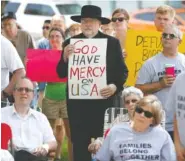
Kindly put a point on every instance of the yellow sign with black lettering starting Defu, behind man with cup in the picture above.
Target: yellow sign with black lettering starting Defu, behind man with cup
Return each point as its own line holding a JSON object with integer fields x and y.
{"x": 140, "y": 46}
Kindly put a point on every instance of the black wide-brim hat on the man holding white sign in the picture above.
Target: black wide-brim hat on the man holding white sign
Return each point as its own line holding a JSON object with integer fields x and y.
{"x": 90, "y": 11}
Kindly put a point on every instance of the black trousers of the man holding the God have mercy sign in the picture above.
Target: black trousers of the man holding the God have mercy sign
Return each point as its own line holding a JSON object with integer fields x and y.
{"x": 86, "y": 118}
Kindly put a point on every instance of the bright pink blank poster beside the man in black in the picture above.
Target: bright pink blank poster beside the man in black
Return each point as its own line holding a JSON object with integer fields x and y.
{"x": 41, "y": 65}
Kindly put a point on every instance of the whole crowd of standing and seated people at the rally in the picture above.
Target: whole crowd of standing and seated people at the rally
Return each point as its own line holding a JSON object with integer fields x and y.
{"x": 39, "y": 135}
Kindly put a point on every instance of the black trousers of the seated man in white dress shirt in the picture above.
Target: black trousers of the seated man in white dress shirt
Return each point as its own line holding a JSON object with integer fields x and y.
{"x": 26, "y": 156}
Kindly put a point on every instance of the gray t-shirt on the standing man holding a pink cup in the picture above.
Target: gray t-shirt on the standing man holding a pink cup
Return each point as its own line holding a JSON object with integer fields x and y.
{"x": 154, "y": 69}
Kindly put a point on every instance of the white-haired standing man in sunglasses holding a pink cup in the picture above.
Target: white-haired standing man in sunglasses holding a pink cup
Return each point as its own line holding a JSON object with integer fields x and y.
{"x": 152, "y": 77}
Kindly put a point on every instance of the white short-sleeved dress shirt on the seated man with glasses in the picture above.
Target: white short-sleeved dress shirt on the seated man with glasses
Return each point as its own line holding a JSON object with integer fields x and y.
{"x": 28, "y": 132}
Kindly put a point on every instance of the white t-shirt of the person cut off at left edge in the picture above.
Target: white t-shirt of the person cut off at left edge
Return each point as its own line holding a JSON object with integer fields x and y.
{"x": 10, "y": 61}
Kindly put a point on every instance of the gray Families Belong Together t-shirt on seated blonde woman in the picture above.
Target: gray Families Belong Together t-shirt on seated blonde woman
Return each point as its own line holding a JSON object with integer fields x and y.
{"x": 123, "y": 143}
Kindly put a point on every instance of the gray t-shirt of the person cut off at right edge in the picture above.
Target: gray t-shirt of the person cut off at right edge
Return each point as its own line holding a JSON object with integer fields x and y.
{"x": 176, "y": 104}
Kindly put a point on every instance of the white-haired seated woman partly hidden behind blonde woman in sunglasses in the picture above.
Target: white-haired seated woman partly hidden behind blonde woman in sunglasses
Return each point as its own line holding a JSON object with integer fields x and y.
{"x": 130, "y": 97}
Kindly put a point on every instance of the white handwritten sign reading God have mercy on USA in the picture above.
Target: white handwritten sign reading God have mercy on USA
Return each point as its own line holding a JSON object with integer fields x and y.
{"x": 87, "y": 69}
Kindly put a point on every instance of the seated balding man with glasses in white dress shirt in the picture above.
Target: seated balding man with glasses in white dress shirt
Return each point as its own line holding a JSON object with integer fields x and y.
{"x": 32, "y": 134}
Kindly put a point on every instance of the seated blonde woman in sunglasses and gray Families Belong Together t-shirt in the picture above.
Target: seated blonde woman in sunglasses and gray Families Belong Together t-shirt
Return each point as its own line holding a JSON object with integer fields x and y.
{"x": 141, "y": 138}
